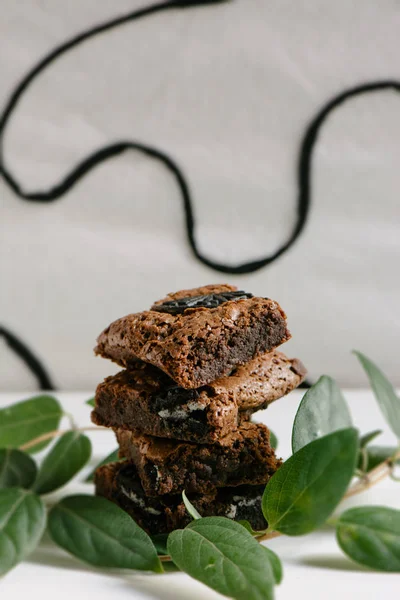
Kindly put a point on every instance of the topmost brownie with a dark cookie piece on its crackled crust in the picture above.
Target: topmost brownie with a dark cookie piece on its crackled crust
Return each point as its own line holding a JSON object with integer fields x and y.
{"x": 198, "y": 335}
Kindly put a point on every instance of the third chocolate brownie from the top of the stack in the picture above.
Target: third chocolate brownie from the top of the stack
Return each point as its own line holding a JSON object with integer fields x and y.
{"x": 168, "y": 467}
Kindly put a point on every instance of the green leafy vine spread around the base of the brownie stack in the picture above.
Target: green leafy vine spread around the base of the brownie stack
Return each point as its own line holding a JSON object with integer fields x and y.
{"x": 296, "y": 501}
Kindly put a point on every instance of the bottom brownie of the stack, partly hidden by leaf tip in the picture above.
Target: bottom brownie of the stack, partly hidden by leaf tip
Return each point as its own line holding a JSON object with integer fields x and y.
{"x": 120, "y": 483}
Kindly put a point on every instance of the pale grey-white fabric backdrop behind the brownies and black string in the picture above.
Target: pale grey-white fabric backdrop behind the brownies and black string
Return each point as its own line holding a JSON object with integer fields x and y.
{"x": 227, "y": 90}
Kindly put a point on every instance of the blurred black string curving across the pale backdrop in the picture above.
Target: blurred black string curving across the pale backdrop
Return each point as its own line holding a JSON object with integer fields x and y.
{"x": 93, "y": 160}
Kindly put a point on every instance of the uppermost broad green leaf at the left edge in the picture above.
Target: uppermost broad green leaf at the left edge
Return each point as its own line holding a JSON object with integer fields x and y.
{"x": 27, "y": 420}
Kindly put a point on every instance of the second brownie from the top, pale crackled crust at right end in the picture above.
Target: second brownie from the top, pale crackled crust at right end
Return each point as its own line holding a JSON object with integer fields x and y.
{"x": 146, "y": 399}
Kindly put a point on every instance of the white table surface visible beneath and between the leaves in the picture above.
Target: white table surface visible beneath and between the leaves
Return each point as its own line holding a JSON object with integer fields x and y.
{"x": 314, "y": 566}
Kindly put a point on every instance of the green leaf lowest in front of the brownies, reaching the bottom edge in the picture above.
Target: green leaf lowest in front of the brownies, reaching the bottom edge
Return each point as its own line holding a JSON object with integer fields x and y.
{"x": 223, "y": 555}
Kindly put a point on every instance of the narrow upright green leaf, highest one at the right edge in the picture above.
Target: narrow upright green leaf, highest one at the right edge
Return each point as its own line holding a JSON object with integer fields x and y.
{"x": 384, "y": 393}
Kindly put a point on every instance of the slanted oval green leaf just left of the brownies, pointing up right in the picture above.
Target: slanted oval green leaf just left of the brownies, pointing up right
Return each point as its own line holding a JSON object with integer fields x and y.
{"x": 66, "y": 458}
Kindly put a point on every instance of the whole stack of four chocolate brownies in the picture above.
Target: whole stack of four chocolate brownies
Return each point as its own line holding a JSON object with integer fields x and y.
{"x": 197, "y": 365}
